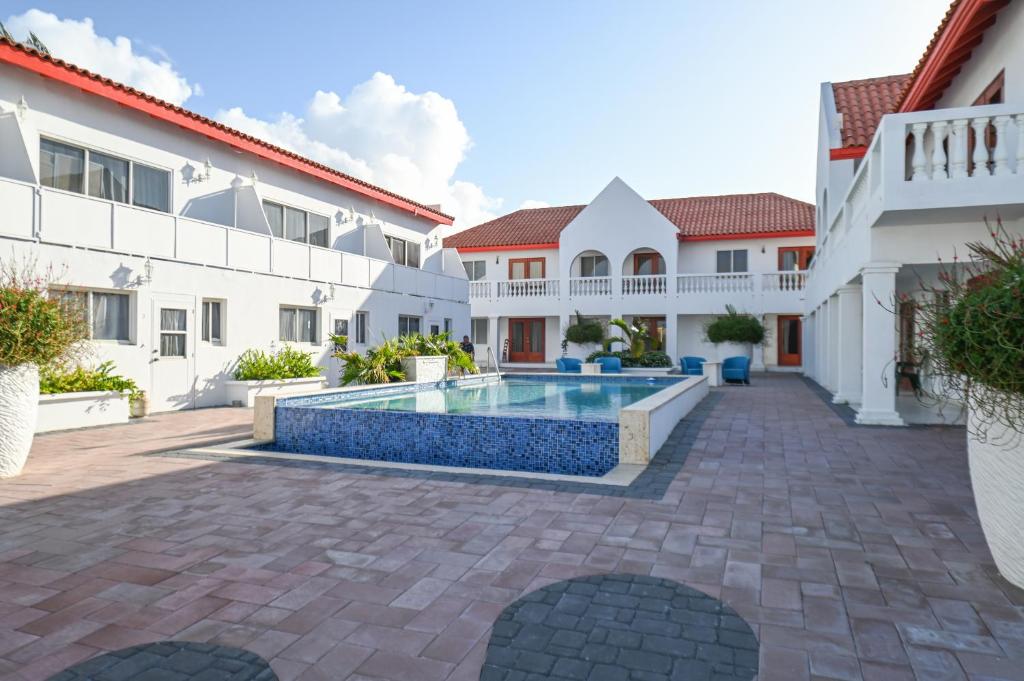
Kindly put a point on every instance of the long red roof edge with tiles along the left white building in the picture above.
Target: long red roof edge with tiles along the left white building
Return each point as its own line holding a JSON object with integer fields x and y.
{"x": 45, "y": 65}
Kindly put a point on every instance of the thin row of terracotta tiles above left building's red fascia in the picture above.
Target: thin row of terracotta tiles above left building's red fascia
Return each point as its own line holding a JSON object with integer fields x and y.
{"x": 202, "y": 120}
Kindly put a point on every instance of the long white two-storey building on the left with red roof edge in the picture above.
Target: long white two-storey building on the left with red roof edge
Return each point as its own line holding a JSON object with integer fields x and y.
{"x": 191, "y": 242}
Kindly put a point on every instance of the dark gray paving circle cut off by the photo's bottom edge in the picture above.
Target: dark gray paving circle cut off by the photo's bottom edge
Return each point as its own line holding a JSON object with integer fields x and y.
{"x": 173, "y": 661}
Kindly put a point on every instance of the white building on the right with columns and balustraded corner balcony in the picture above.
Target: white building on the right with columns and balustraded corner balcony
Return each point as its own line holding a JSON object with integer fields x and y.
{"x": 909, "y": 167}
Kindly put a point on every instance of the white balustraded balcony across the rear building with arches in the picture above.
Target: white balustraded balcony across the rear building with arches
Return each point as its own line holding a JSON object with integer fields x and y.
{"x": 756, "y": 292}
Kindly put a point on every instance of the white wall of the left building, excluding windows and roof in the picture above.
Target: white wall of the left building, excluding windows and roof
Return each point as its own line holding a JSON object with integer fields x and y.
{"x": 214, "y": 244}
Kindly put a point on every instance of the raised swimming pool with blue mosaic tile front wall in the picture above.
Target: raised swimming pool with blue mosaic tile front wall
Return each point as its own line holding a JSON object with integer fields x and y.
{"x": 543, "y": 423}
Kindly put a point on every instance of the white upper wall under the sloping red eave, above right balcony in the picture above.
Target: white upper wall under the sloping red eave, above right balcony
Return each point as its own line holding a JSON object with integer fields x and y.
{"x": 1001, "y": 50}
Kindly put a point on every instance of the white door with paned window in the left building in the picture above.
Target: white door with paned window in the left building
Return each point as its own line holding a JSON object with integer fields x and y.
{"x": 173, "y": 359}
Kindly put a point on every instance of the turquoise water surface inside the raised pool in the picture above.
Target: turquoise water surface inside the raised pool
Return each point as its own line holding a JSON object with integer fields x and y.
{"x": 580, "y": 400}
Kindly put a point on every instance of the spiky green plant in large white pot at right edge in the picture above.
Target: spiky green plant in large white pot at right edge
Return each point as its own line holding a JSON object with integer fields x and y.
{"x": 971, "y": 323}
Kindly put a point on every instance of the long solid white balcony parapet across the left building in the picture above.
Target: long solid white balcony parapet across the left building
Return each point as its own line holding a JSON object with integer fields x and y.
{"x": 54, "y": 217}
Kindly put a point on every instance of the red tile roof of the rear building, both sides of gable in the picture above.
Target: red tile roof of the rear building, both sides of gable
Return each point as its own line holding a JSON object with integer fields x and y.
{"x": 730, "y": 217}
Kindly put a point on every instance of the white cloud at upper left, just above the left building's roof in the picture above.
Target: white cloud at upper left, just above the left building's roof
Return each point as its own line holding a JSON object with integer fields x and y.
{"x": 77, "y": 42}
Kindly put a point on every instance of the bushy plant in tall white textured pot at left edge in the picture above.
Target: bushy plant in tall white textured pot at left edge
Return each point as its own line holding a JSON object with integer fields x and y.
{"x": 35, "y": 329}
